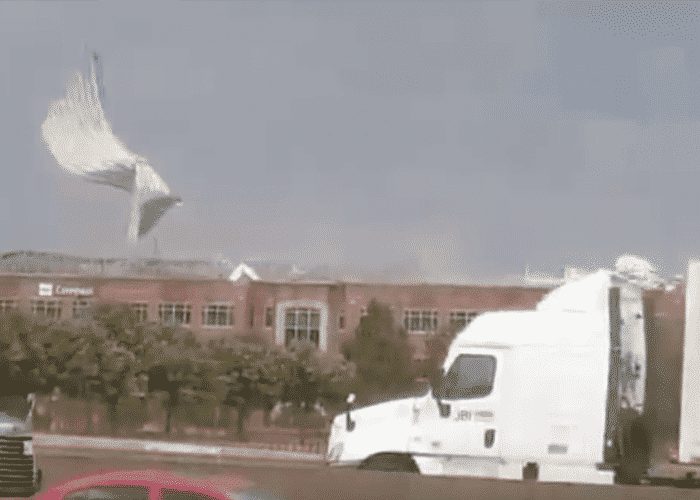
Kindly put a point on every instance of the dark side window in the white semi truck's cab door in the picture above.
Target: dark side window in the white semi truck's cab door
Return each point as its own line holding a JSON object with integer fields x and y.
{"x": 470, "y": 376}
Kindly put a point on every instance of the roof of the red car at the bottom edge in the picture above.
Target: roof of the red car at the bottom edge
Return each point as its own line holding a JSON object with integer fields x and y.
{"x": 153, "y": 485}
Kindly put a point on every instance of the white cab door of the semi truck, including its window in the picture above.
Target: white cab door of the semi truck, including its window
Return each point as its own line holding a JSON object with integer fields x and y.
{"x": 467, "y": 426}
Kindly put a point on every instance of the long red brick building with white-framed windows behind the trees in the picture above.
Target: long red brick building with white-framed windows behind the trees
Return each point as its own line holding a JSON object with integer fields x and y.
{"x": 224, "y": 304}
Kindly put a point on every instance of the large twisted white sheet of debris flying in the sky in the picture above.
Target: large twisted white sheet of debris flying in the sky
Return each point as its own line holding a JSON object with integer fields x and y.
{"x": 82, "y": 142}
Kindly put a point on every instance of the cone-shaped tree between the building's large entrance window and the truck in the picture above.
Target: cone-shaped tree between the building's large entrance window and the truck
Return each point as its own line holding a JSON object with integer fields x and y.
{"x": 381, "y": 354}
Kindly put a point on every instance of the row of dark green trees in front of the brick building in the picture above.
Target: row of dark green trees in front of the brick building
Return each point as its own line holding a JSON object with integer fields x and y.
{"x": 112, "y": 356}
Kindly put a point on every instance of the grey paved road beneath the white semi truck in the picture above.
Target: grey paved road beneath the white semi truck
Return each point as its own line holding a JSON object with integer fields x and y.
{"x": 318, "y": 482}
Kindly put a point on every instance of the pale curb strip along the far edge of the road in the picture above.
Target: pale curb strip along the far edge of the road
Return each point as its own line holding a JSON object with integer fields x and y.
{"x": 169, "y": 448}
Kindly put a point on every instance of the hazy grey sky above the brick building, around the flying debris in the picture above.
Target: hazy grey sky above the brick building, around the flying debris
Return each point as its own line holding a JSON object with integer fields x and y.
{"x": 462, "y": 139}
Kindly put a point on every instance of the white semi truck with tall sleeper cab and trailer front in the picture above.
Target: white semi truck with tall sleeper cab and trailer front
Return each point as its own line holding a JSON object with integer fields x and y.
{"x": 554, "y": 394}
